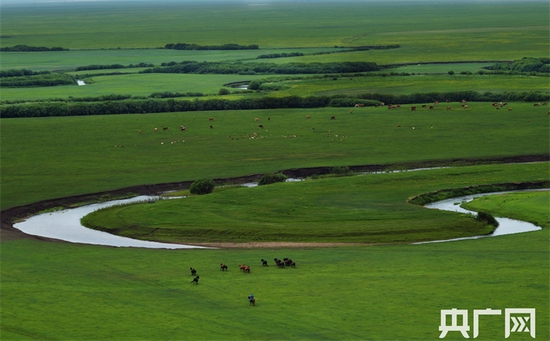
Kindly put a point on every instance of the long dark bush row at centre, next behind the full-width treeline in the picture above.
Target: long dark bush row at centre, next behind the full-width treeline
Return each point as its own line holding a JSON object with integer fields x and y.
{"x": 262, "y": 68}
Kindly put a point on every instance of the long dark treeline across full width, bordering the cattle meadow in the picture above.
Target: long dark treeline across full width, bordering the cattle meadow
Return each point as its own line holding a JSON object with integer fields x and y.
{"x": 133, "y": 106}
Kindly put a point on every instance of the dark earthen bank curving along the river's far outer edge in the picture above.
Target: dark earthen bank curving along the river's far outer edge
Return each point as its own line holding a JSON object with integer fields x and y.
{"x": 10, "y": 216}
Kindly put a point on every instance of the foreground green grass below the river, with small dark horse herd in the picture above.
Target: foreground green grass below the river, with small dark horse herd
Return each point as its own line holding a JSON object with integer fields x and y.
{"x": 75, "y": 292}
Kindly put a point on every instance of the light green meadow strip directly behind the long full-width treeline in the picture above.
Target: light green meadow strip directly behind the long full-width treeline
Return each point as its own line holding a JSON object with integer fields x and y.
{"x": 146, "y": 84}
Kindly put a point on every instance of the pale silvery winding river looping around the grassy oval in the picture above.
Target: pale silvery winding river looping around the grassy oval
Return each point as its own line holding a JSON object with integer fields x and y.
{"x": 65, "y": 225}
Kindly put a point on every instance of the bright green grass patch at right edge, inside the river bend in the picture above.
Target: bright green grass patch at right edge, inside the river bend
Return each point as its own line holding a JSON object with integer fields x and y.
{"x": 529, "y": 206}
